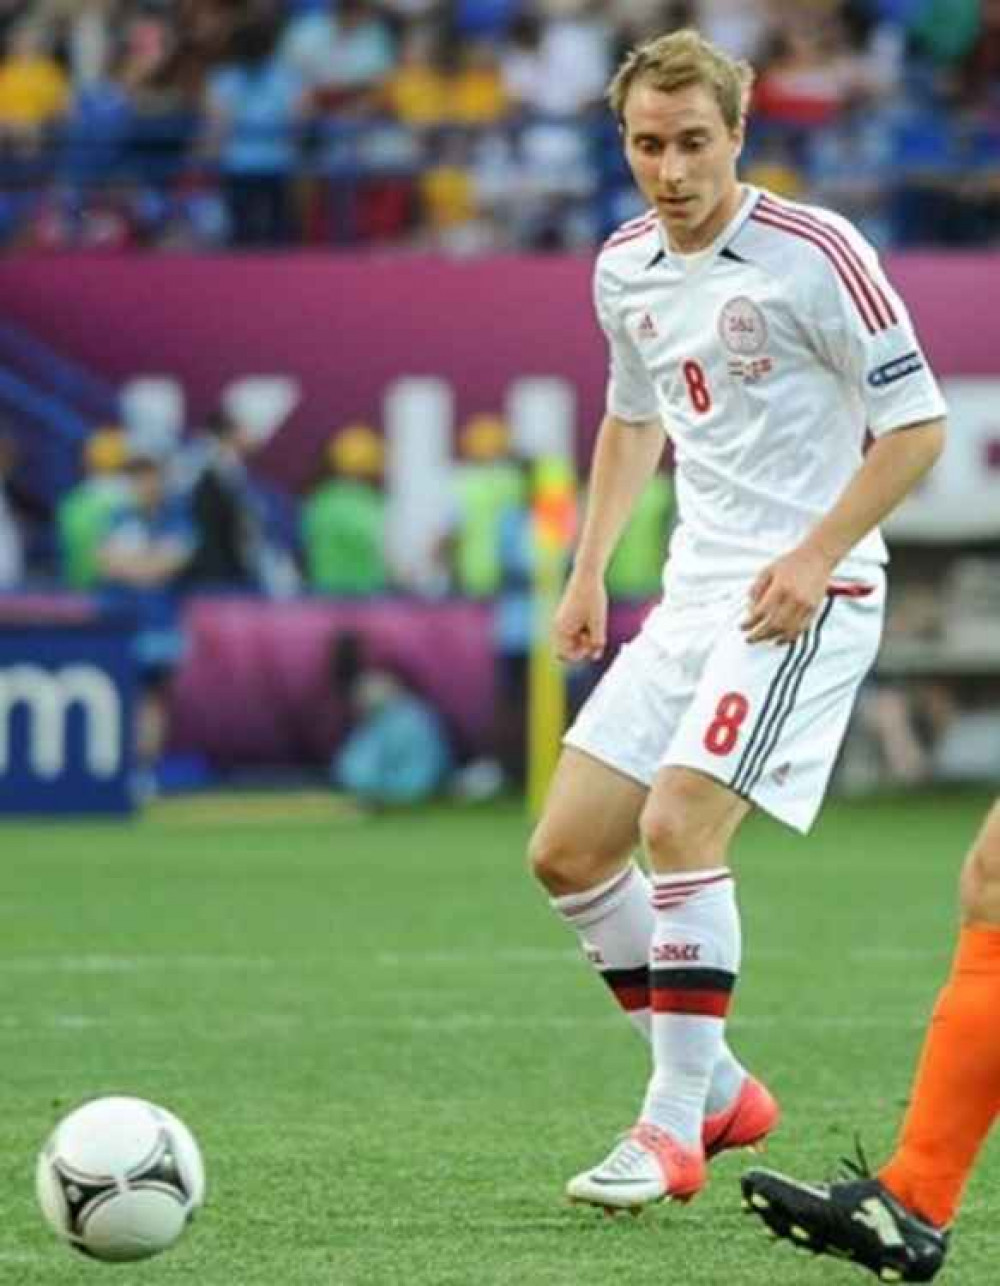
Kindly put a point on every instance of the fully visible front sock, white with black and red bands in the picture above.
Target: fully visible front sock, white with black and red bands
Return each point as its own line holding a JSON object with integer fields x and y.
{"x": 693, "y": 966}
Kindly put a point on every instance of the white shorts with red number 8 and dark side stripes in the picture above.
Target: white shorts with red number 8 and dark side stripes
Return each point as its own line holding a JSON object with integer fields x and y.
{"x": 765, "y": 720}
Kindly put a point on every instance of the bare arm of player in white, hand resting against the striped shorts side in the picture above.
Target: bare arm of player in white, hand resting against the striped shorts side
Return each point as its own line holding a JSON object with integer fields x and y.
{"x": 789, "y": 592}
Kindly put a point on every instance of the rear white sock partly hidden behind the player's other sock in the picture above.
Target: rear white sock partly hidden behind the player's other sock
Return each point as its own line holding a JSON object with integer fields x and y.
{"x": 615, "y": 923}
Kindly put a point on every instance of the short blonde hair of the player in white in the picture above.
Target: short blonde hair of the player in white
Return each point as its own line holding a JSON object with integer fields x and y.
{"x": 686, "y": 59}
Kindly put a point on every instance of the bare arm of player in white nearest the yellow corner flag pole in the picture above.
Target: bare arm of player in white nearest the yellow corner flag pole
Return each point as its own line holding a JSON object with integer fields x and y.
{"x": 625, "y": 458}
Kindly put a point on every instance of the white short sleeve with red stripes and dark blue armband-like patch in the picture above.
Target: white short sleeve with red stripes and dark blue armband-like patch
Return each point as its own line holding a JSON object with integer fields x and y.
{"x": 863, "y": 330}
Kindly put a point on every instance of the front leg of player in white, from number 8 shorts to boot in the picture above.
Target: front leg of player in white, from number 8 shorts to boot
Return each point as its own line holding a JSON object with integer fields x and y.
{"x": 763, "y": 727}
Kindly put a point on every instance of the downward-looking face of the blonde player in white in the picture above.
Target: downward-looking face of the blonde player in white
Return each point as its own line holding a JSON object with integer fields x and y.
{"x": 683, "y": 158}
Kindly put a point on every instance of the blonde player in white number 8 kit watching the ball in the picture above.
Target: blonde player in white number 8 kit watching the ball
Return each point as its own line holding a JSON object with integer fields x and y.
{"x": 764, "y": 338}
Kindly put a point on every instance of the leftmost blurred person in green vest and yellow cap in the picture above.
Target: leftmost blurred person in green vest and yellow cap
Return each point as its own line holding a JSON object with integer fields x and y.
{"x": 85, "y": 514}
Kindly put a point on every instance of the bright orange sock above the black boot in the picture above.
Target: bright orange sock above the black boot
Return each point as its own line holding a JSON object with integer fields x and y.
{"x": 957, "y": 1091}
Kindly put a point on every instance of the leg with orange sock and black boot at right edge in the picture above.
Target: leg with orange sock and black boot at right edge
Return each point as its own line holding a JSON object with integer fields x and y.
{"x": 897, "y": 1224}
